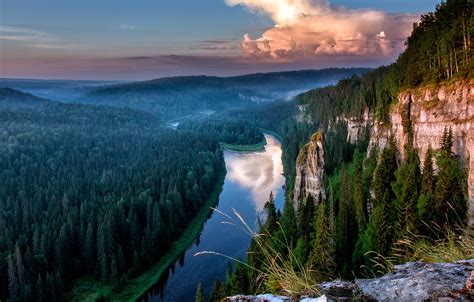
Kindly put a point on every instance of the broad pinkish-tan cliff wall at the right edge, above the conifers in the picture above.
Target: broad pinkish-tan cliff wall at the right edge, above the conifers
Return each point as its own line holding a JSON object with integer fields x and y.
{"x": 422, "y": 114}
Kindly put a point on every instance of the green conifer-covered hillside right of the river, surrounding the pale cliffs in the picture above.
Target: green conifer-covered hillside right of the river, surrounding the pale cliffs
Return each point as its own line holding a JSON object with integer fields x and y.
{"x": 377, "y": 201}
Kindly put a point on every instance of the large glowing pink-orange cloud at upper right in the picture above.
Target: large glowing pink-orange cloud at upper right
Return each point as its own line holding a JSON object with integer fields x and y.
{"x": 313, "y": 28}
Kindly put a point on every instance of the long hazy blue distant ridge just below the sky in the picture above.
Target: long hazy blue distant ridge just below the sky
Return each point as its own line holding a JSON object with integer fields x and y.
{"x": 179, "y": 96}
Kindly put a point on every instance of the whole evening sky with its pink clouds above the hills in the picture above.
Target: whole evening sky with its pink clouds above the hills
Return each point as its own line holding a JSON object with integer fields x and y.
{"x": 145, "y": 39}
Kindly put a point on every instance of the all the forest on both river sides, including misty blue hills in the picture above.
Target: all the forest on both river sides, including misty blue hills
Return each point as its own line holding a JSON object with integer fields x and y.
{"x": 102, "y": 189}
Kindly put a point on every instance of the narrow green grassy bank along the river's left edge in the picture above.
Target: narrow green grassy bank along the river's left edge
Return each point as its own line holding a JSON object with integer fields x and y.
{"x": 91, "y": 289}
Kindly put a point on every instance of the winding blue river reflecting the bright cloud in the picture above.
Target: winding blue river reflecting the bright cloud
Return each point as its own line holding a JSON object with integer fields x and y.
{"x": 250, "y": 179}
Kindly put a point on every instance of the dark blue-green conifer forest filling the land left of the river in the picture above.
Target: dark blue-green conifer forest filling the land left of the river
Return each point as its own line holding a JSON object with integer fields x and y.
{"x": 92, "y": 191}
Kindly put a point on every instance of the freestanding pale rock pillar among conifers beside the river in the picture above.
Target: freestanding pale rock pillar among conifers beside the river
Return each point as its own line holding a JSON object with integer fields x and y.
{"x": 310, "y": 169}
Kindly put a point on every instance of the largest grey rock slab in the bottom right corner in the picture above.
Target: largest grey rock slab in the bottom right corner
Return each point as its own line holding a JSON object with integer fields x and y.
{"x": 417, "y": 281}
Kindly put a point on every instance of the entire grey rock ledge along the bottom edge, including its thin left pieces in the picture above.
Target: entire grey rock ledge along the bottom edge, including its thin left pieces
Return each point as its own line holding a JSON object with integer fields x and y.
{"x": 413, "y": 281}
